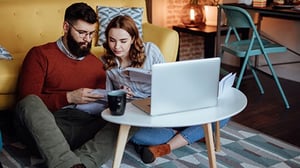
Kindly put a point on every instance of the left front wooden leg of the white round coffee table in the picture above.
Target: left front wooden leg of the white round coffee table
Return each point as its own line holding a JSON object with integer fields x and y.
{"x": 121, "y": 143}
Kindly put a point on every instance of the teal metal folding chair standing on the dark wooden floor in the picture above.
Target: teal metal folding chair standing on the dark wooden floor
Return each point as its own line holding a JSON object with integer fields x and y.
{"x": 254, "y": 46}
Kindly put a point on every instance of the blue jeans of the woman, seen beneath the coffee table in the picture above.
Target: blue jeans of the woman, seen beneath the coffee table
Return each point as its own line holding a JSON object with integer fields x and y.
{"x": 150, "y": 136}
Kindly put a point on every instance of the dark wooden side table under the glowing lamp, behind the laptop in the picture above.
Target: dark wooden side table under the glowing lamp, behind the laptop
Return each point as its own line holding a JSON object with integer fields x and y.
{"x": 209, "y": 33}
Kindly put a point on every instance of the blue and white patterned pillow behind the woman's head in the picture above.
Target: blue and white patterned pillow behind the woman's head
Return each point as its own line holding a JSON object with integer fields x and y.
{"x": 106, "y": 14}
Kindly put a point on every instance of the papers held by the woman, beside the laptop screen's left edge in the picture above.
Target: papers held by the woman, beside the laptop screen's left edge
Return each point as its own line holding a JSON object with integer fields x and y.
{"x": 138, "y": 74}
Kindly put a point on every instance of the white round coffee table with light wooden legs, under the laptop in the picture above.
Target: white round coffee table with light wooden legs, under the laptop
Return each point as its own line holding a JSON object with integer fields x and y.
{"x": 229, "y": 104}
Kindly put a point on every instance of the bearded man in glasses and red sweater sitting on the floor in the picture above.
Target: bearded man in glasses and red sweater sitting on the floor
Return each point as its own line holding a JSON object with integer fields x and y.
{"x": 54, "y": 78}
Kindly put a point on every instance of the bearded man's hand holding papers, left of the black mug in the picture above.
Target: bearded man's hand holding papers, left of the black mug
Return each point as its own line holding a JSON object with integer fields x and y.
{"x": 82, "y": 96}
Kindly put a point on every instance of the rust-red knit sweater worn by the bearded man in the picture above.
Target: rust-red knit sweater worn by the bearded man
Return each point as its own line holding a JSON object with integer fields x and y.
{"x": 49, "y": 73}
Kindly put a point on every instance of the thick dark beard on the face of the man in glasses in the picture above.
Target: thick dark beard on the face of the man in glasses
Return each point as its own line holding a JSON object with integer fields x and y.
{"x": 75, "y": 47}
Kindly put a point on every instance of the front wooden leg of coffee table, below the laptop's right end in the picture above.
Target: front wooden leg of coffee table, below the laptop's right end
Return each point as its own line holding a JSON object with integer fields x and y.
{"x": 210, "y": 145}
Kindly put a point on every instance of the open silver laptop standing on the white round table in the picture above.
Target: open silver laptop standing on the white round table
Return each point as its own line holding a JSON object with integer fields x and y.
{"x": 182, "y": 86}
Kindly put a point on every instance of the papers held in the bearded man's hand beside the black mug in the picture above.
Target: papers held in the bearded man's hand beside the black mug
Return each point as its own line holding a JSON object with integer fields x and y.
{"x": 94, "y": 108}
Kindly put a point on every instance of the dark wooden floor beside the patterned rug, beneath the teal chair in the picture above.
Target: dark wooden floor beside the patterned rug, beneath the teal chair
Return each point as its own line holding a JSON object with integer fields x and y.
{"x": 267, "y": 113}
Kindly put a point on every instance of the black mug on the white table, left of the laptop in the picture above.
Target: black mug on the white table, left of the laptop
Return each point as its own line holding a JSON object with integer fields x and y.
{"x": 116, "y": 102}
